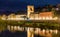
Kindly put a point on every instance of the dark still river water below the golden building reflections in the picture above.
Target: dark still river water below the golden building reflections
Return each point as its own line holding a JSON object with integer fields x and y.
{"x": 8, "y": 33}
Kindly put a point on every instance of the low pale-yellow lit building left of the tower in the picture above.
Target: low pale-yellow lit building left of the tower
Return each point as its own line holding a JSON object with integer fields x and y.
{"x": 16, "y": 16}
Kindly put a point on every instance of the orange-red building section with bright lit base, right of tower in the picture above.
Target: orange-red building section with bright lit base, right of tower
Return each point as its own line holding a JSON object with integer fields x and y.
{"x": 46, "y": 16}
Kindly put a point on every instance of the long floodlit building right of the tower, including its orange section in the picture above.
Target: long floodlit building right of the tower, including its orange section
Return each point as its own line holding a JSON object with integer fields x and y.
{"x": 41, "y": 15}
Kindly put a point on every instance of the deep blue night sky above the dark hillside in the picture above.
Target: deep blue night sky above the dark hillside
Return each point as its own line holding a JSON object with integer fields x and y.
{"x": 15, "y": 5}
